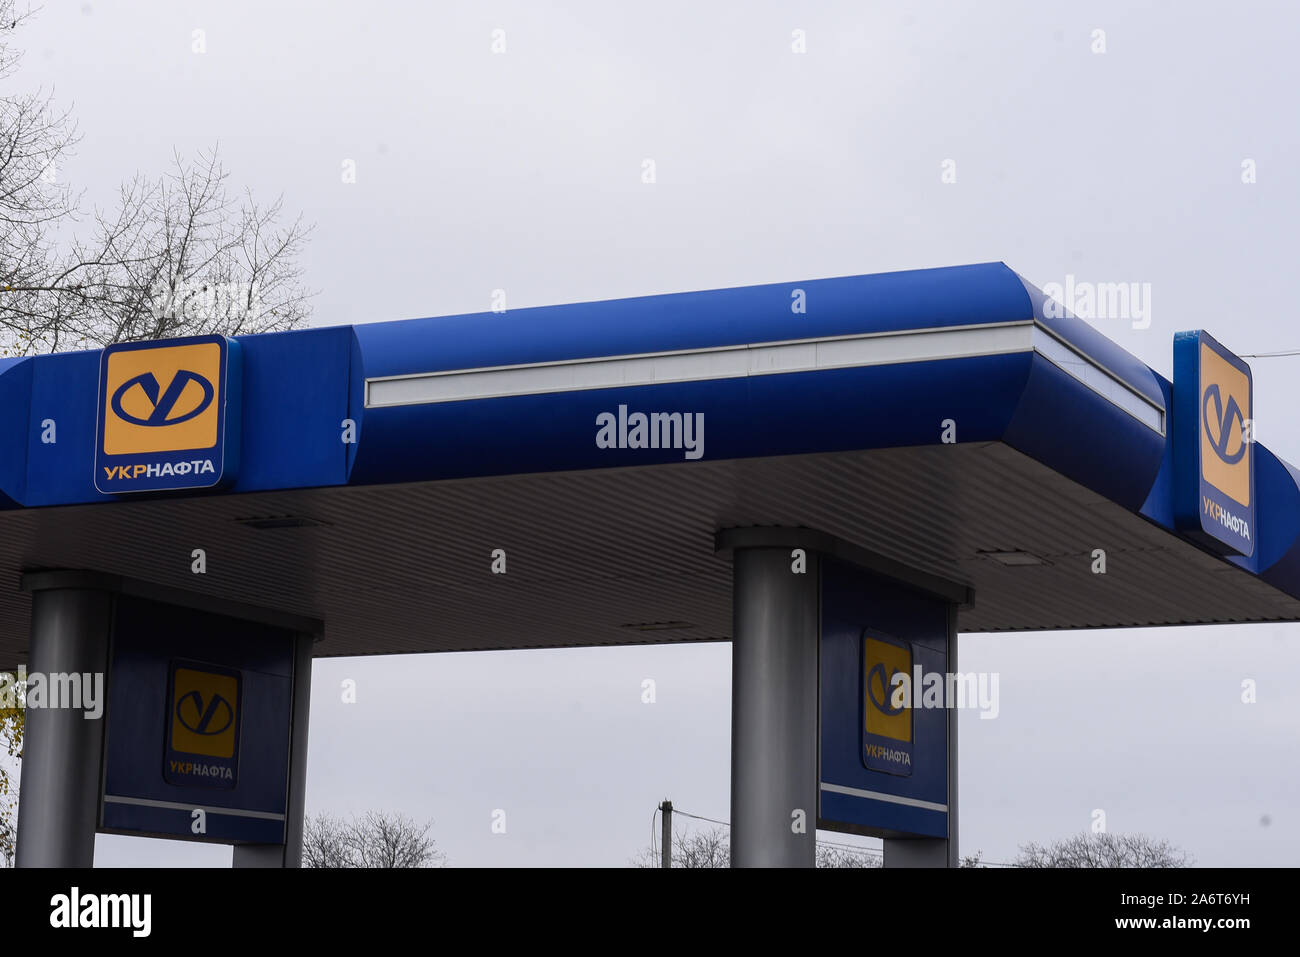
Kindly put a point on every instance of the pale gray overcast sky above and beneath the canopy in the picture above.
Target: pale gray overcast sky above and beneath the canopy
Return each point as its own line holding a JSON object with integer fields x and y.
{"x": 522, "y": 171}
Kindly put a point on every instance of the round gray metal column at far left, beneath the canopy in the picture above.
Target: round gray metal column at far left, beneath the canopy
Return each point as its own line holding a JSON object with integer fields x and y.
{"x": 63, "y": 750}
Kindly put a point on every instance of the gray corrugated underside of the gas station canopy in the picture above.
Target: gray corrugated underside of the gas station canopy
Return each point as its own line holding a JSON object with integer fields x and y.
{"x": 627, "y": 556}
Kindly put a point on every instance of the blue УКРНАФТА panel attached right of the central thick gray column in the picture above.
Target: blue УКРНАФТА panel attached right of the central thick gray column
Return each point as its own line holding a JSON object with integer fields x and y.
{"x": 885, "y": 743}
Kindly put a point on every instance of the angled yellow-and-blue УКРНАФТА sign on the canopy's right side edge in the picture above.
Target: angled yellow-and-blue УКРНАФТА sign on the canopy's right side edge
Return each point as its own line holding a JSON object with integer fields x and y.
{"x": 1215, "y": 500}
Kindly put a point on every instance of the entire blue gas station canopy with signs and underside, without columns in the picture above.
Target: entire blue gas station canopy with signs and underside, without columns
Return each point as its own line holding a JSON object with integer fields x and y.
{"x": 558, "y": 477}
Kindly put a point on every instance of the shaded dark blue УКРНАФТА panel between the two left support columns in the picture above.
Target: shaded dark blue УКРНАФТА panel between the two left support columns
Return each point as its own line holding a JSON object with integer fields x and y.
{"x": 200, "y": 717}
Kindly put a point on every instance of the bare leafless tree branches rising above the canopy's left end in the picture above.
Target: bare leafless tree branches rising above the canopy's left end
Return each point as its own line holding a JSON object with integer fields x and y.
{"x": 175, "y": 256}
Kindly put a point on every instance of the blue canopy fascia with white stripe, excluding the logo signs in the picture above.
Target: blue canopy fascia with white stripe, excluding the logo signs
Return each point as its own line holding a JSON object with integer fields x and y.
{"x": 822, "y": 366}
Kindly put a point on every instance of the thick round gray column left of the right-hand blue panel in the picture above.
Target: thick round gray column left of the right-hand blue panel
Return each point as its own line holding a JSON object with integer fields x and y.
{"x": 774, "y": 709}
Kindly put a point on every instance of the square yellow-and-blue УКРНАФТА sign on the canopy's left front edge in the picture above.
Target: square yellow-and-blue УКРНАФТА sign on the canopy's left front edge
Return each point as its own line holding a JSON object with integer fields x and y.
{"x": 168, "y": 415}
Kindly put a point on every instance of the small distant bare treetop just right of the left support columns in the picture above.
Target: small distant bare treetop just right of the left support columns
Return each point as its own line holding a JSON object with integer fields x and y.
{"x": 374, "y": 841}
